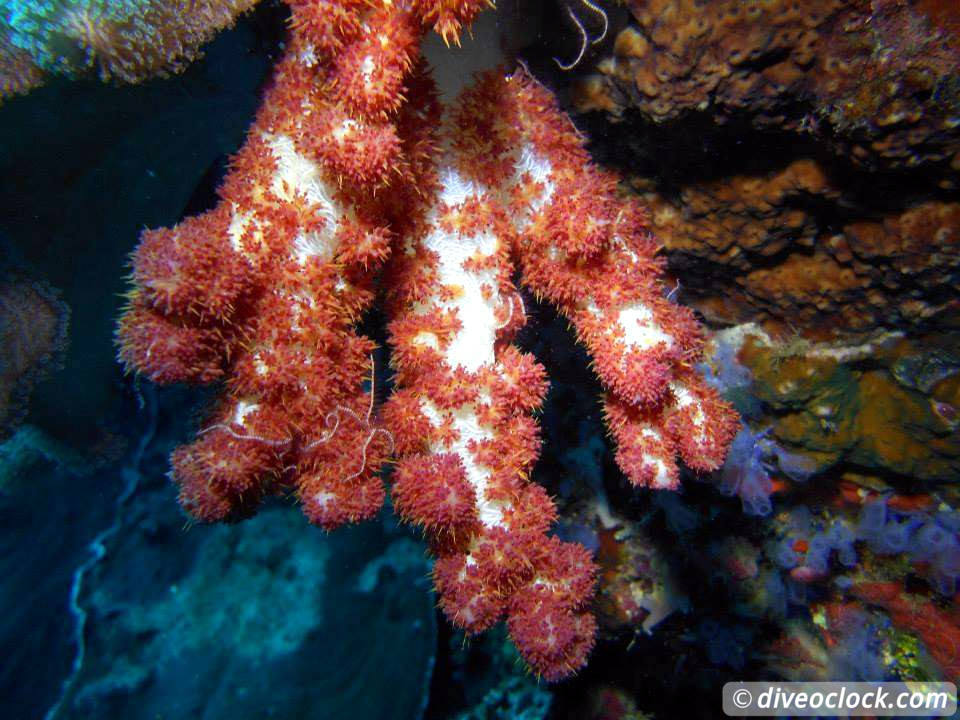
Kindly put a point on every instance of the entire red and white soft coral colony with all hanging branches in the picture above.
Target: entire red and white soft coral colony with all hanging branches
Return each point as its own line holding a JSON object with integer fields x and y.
{"x": 345, "y": 188}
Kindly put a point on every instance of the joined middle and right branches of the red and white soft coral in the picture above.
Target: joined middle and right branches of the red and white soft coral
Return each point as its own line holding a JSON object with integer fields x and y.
{"x": 518, "y": 190}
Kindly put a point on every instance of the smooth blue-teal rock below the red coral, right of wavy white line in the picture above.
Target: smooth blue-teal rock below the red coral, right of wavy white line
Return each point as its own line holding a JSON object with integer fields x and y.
{"x": 262, "y": 618}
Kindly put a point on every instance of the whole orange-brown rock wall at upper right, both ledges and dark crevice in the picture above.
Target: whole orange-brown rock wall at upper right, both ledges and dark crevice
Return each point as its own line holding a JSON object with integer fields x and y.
{"x": 797, "y": 158}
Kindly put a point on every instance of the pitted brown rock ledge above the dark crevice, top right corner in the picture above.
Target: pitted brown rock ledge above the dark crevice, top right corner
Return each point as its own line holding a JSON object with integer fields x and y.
{"x": 876, "y": 81}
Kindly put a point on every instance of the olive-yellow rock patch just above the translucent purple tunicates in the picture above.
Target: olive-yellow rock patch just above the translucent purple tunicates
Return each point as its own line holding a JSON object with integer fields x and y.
{"x": 830, "y": 406}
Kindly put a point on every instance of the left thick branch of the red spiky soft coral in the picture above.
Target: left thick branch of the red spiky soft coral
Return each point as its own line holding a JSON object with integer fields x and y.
{"x": 263, "y": 291}
